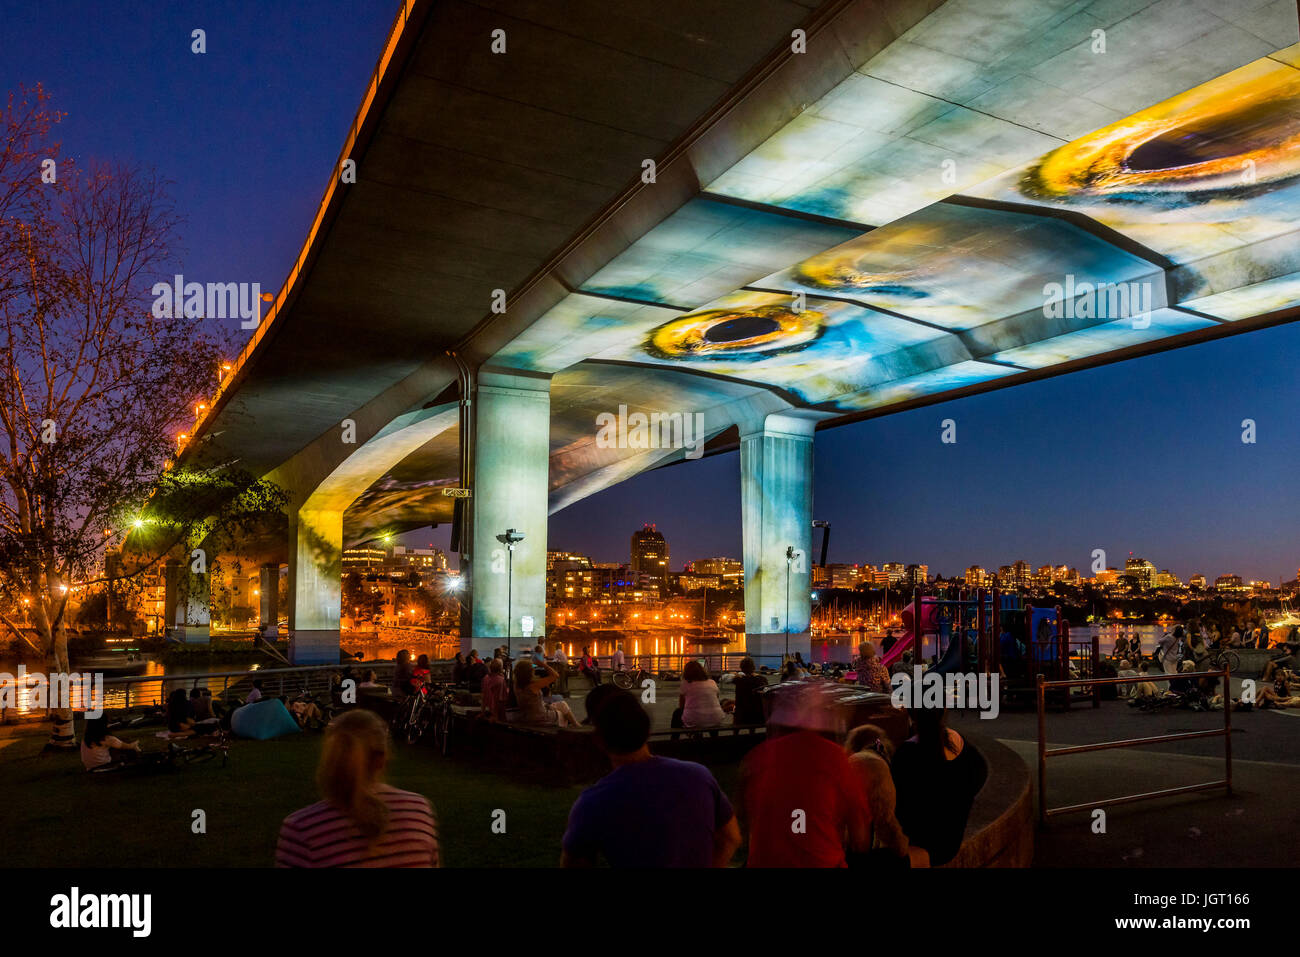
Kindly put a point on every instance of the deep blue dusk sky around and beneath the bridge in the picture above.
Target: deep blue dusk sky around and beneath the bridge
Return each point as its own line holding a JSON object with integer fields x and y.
{"x": 1141, "y": 457}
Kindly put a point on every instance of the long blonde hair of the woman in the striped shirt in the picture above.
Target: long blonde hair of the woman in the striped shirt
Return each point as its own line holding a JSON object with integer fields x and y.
{"x": 357, "y": 744}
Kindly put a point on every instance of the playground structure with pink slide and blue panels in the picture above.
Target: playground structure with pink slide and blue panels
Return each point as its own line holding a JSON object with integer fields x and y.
{"x": 987, "y": 631}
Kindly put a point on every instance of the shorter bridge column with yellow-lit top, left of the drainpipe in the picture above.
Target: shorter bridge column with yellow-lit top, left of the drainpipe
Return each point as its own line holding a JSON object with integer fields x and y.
{"x": 315, "y": 586}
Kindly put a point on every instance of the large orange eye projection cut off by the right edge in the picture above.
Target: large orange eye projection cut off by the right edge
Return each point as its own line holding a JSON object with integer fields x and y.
{"x": 1236, "y": 138}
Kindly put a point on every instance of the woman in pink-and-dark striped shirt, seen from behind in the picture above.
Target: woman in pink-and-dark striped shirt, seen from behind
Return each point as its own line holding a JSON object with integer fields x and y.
{"x": 362, "y": 822}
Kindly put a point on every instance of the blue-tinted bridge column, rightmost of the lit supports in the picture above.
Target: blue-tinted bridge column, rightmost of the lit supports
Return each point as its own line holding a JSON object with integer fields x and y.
{"x": 777, "y": 510}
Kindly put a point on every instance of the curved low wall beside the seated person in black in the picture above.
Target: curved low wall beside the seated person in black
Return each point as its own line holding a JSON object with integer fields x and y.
{"x": 1000, "y": 830}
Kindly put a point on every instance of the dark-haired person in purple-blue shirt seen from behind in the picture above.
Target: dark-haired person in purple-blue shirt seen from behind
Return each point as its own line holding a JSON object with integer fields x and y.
{"x": 648, "y": 812}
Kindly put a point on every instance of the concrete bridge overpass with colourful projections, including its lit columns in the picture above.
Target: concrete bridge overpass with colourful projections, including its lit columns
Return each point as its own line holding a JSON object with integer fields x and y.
{"x": 587, "y": 240}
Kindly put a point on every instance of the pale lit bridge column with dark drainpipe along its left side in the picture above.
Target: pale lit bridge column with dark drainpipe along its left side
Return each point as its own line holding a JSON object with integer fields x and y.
{"x": 512, "y": 471}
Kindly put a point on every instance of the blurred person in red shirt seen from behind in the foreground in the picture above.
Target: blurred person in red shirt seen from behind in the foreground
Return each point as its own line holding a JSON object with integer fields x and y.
{"x": 800, "y": 802}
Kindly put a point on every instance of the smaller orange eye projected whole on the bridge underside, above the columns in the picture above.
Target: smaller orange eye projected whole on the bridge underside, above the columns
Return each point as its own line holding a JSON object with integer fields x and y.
{"x": 755, "y": 334}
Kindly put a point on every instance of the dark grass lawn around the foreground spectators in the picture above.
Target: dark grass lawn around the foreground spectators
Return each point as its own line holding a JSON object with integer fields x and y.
{"x": 55, "y": 815}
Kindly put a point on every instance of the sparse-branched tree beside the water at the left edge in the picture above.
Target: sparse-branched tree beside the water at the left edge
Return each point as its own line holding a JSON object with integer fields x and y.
{"x": 93, "y": 387}
